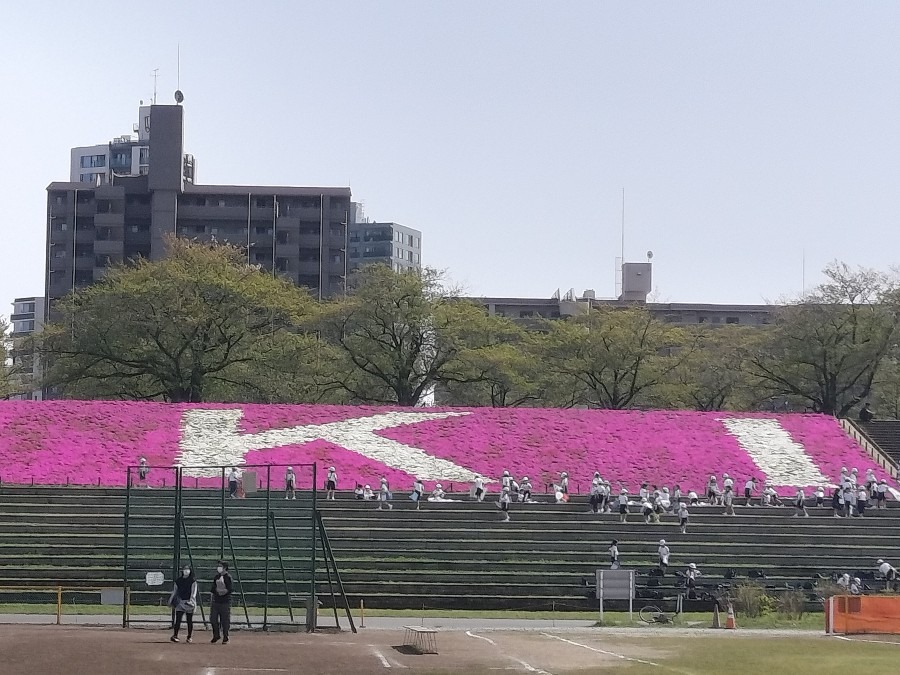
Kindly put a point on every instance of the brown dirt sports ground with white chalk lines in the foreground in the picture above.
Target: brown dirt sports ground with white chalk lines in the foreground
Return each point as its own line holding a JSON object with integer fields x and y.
{"x": 65, "y": 650}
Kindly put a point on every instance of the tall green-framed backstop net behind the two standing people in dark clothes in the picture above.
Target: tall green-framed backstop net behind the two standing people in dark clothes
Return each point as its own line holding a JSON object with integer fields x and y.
{"x": 197, "y": 516}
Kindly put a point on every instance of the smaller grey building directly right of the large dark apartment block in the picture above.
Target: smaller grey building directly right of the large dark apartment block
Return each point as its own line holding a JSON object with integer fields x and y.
{"x": 390, "y": 244}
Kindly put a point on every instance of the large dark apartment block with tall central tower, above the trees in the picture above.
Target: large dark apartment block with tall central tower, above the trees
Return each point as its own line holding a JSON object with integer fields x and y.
{"x": 298, "y": 232}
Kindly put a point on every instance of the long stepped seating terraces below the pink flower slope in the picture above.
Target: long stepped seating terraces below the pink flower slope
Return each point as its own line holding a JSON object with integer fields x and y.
{"x": 446, "y": 555}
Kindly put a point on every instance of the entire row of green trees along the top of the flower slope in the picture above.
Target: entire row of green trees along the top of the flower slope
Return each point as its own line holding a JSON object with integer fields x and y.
{"x": 201, "y": 325}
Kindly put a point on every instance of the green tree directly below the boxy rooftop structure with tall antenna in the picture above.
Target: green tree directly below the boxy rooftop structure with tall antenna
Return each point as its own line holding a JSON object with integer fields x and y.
{"x": 612, "y": 357}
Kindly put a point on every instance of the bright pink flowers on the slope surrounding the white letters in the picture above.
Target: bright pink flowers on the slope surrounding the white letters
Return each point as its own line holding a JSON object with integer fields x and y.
{"x": 91, "y": 443}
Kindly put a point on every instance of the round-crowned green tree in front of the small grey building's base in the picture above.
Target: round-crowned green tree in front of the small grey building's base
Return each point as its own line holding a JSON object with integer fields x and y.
{"x": 400, "y": 335}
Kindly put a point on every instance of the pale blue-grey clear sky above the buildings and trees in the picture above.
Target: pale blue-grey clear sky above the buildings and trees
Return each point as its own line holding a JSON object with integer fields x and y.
{"x": 754, "y": 140}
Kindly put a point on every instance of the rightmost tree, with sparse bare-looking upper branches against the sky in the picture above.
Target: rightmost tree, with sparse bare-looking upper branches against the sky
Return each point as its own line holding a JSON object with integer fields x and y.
{"x": 826, "y": 349}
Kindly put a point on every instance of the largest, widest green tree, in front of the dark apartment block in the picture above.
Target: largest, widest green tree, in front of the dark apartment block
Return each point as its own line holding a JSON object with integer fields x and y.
{"x": 198, "y": 325}
